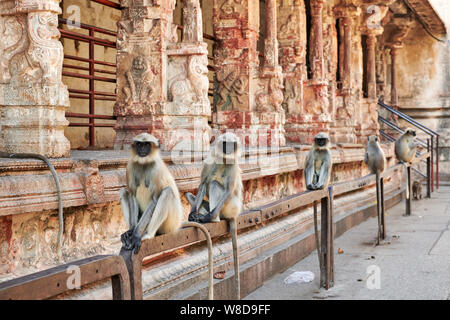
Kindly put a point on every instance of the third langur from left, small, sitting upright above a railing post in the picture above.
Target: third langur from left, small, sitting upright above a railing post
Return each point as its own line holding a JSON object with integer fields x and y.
{"x": 318, "y": 163}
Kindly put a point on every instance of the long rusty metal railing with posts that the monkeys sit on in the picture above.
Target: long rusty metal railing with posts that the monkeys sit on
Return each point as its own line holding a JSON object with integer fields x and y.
{"x": 128, "y": 266}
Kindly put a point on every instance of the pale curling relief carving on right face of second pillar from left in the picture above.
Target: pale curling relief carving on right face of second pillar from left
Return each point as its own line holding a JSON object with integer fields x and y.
{"x": 197, "y": 74}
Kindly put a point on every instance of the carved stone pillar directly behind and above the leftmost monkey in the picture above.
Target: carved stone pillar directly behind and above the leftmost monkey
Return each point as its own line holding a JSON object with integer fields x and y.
{"x": 162, "y": 84}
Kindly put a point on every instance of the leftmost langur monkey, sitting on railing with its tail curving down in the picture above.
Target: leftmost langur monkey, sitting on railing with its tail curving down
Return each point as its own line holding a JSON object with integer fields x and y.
{"x": 151, "y": 202}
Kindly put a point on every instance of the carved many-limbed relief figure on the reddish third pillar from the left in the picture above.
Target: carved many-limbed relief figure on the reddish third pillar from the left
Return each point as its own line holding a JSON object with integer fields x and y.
{"x": 231, "y": 90}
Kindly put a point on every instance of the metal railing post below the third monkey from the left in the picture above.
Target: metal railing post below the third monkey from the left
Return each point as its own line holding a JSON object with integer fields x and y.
{"x": 326, "y": 234}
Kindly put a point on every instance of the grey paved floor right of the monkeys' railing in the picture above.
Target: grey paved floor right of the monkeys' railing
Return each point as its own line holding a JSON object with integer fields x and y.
{"x": 413, "y": 264}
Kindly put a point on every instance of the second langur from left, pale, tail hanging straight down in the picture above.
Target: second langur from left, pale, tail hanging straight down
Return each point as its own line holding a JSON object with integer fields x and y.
{"x": 220, "y": 192}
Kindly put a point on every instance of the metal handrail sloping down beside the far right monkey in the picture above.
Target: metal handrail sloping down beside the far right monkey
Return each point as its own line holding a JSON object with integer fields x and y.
{"x": 432, "y": 145}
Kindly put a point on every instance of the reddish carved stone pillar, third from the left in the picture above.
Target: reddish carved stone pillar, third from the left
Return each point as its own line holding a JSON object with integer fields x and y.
{"x": 247, "y": 97}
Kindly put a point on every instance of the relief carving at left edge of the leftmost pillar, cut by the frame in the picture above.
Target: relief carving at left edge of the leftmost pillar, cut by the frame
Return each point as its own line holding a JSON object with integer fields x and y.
{"x": 14, "y": 41}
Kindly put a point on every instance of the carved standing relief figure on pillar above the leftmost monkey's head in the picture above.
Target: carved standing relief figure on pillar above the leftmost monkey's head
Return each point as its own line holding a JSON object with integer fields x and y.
{"x": 139, "y": 81}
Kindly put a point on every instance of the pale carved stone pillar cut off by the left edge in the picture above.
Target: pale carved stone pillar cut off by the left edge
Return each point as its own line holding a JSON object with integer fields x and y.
{"x": 33, "y": 99}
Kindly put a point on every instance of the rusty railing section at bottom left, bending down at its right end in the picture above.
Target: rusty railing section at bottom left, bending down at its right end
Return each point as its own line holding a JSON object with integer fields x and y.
{"x": 52, "y": 282}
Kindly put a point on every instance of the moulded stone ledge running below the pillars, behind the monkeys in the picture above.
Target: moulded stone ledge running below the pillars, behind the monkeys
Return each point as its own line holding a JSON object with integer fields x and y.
{"x": 95, "y": 177}
